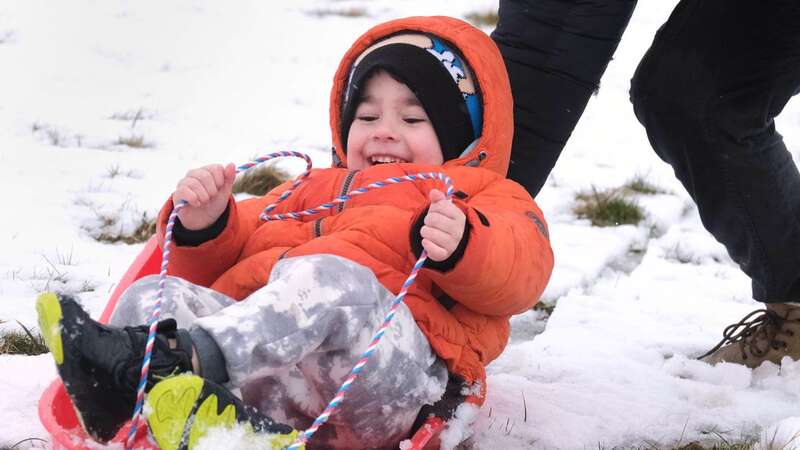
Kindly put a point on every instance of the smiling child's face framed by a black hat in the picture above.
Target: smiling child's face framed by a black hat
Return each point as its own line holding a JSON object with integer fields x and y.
{"x": 391, "y": 126}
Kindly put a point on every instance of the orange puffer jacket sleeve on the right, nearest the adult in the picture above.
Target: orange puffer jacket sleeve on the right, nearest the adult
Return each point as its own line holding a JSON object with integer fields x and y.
{"x": 508, "y": 259}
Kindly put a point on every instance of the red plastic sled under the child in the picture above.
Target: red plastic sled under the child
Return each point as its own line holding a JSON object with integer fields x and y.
{"x": 58, "y": 416}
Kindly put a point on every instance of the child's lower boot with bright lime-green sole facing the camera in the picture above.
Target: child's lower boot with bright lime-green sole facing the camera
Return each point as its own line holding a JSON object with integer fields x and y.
{"x": 181, "y": 410}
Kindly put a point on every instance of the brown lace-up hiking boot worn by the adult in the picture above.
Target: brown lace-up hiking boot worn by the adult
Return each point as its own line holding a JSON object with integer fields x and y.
{"x": 766, "y": 335}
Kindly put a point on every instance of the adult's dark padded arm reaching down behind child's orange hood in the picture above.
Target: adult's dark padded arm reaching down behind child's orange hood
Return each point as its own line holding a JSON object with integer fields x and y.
{"x": 555, "y": 52}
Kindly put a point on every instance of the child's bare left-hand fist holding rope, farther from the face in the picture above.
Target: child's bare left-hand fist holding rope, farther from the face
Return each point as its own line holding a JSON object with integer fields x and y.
{"x": 207, "y": 190}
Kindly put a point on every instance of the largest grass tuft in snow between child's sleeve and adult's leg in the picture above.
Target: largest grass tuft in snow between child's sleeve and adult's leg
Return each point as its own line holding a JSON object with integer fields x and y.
{"x": 607, "y": 208}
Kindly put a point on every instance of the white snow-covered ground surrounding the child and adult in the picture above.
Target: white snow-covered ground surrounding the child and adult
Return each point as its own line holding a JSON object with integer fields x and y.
{"x": 226, "y": 81}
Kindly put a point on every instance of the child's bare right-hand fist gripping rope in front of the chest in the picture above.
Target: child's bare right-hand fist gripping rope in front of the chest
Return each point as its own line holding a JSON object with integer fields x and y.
{"x": 444, "y": 227}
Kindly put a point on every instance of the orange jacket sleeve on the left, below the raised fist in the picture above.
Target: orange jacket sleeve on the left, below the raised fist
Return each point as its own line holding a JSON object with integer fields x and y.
{"x": 204, "y": 263}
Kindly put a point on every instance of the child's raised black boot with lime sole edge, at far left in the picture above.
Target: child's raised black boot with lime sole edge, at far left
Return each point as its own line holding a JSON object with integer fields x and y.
{"x": 101, "y": 365}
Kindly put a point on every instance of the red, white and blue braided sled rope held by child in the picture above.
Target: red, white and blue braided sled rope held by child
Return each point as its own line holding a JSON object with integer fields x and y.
{"x": 304, "y": 436}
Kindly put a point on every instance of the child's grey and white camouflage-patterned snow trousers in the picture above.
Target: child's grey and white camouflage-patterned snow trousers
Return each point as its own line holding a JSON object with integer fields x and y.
{"x": 289, "y": 345}
